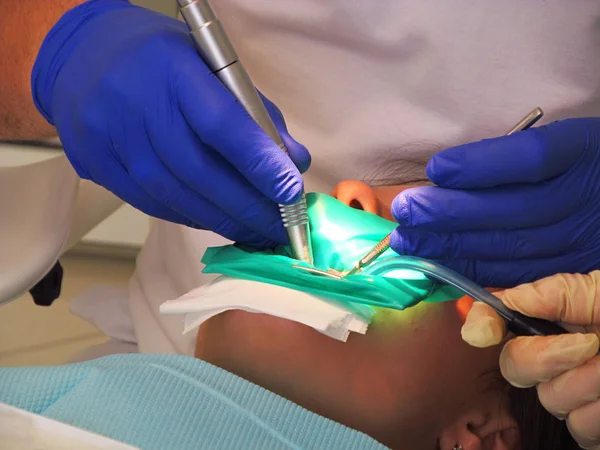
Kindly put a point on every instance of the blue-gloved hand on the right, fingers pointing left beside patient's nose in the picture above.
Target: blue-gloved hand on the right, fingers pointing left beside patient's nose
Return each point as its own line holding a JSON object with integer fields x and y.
{"x": 509, "y": 210}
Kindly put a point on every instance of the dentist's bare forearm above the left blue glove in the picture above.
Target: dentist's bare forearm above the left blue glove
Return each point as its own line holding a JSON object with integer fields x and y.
{"x": 23, "y": 26}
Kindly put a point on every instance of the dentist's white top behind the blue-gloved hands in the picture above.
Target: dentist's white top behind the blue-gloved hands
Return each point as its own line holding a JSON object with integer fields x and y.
{"x": 373, "y": 89}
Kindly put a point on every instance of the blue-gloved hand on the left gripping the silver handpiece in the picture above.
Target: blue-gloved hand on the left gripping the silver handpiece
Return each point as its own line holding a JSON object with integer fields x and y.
{"x": 139, "y": 113}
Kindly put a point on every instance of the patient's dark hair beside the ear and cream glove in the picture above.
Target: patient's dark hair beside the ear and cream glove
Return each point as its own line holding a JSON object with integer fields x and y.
{"x": 539, "y": 430}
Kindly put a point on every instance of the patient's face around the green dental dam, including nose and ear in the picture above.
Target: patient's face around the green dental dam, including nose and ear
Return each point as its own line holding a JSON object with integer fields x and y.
{"x": 410, "y": 382}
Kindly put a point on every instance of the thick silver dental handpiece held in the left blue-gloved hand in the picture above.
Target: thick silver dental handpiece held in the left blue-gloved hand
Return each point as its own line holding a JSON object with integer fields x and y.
{"x": 218, "y": 54}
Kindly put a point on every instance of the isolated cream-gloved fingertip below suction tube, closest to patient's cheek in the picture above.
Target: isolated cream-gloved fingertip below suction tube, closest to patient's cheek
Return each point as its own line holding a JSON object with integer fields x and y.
{"x": 483, "y": 327}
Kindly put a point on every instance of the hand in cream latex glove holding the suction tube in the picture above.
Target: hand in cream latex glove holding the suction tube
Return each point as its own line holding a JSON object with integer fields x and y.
{"x": 566, "y": 369}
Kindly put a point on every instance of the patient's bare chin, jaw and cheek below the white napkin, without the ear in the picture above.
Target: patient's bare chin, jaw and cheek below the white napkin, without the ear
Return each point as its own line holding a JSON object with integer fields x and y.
{"x": 387, "y": 383}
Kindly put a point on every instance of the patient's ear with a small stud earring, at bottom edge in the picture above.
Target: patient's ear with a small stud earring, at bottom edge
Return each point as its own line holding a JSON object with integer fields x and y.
{"x": 490, "y": 429}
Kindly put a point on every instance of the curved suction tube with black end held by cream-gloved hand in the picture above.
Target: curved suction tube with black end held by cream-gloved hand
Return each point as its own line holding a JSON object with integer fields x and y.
{"x": 517, "y": 323}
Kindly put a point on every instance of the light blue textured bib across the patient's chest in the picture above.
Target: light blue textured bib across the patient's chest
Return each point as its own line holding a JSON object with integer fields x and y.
{"x": 171, "y": 402}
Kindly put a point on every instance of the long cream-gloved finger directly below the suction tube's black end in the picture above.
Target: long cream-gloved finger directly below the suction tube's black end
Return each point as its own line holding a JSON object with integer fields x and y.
{"x": 527, "y": 361}
